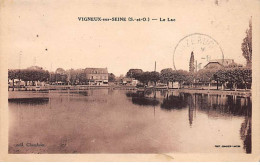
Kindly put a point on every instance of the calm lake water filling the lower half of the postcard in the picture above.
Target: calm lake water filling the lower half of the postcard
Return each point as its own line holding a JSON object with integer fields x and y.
{"x": 120, "y": 121}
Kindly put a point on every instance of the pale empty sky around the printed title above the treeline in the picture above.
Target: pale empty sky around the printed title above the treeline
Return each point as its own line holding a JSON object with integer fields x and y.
{"x": 48, "y": 33}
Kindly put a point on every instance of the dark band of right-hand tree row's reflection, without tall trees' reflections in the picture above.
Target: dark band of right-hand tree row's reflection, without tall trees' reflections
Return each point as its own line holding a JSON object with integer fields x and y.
{"x": 227, "y": 105}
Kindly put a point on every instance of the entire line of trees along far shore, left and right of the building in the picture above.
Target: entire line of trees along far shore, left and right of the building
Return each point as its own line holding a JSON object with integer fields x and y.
{"x": 231, "y": 77}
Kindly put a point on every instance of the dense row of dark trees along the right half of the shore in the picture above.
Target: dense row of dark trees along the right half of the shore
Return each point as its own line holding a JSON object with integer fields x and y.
{"x": 228, "y": 77}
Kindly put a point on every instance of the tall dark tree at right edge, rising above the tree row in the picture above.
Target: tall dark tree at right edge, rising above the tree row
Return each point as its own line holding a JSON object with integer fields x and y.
{"x": 246, "y": 45}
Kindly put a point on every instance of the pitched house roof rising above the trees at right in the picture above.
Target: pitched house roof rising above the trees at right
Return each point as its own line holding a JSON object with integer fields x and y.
{"x": 218, "y": 63}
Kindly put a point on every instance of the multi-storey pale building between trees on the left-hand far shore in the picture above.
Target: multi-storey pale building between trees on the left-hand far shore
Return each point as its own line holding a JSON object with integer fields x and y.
{"x": 96, "y": 76}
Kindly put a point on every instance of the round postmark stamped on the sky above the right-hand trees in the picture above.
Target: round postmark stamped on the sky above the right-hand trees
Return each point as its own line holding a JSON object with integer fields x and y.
{"x": 204, "y": 47}
